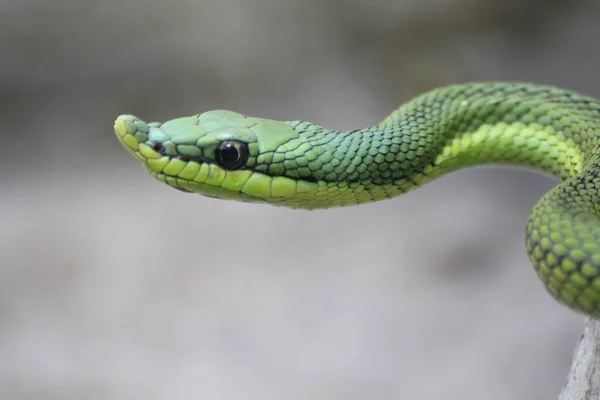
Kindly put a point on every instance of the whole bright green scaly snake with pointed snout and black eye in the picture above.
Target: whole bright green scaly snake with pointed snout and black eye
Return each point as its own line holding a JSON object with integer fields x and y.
{"x": 302, "y": 165}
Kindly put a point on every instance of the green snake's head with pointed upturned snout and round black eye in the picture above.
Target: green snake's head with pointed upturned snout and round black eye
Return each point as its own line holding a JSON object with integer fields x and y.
{"x": 218, "y": 153}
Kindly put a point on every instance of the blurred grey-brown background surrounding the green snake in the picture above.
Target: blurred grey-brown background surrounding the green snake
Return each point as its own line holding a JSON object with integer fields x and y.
{"x": 114, "y": 286}
